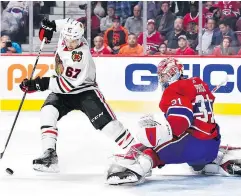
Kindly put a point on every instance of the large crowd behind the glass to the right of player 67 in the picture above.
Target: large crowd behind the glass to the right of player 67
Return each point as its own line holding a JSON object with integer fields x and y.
{"x": 172, "y": 27}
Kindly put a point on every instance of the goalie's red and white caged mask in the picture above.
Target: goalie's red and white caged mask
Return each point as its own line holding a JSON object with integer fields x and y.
{"x": 169, "y": 70}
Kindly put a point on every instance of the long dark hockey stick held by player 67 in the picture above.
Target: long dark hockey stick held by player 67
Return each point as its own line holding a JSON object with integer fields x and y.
{"x": 22, "y": 101}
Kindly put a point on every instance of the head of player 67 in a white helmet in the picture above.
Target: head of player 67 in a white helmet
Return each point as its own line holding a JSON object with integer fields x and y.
{"x": 72, "y": 34}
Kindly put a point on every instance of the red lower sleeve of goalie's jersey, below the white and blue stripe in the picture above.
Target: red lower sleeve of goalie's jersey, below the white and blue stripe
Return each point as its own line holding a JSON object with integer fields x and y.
{"x": 178, "y": 124}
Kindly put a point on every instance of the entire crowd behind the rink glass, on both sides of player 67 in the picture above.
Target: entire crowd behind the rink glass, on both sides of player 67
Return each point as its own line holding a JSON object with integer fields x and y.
{"x": 117, "y": 26}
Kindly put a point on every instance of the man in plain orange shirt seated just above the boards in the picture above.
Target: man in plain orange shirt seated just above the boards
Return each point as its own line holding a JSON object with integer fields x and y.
{"x": 133, "y": 48}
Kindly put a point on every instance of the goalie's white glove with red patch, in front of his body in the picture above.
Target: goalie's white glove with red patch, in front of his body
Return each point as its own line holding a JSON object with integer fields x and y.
{"x": 155, "y": 135}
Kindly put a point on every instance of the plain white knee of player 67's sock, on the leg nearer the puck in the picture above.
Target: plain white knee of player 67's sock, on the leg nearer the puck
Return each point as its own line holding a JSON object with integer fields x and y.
{"x": 49, "y": 116}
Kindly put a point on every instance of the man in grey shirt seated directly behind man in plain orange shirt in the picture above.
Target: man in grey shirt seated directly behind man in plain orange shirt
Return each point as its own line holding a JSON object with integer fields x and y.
{"x": 134, "y": 24}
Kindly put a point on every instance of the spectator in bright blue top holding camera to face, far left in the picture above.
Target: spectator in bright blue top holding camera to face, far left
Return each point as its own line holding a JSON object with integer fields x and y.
{"x": 7, "y": 46}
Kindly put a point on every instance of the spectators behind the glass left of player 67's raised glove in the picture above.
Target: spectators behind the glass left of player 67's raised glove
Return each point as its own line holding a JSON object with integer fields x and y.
{"x": 15, "y": 22}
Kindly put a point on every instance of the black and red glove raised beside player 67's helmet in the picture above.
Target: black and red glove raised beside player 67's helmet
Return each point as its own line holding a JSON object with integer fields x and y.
{"x": 46, "y": 30}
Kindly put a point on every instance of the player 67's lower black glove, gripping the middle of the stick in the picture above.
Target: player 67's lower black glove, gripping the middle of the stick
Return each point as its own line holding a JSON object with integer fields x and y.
{"x": 38, "y": 84}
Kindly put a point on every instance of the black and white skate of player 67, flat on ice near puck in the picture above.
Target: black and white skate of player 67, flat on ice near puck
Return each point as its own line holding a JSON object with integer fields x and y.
{"x": 48, "y": 162}
